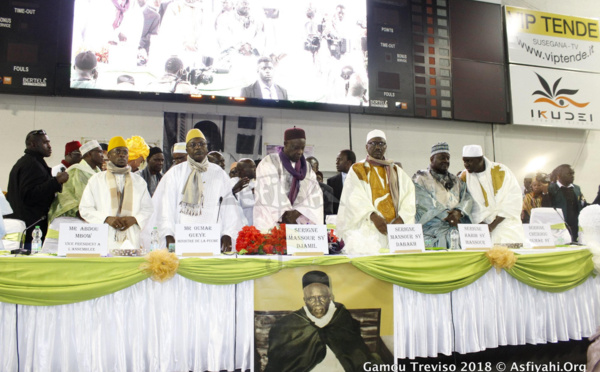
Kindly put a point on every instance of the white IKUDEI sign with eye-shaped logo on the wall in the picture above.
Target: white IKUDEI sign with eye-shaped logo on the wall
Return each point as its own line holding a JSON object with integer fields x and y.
{"x": 554, "y": 98}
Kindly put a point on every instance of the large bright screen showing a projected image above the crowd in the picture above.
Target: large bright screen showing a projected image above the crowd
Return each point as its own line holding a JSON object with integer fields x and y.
{"x": 301, "y": 50}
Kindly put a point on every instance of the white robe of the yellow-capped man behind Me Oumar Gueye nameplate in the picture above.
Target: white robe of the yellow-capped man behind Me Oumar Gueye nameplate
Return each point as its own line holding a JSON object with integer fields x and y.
{"x": 169, "y": 193}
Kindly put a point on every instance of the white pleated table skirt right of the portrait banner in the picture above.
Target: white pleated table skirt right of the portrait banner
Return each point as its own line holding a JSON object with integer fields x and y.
{"x": 494, "y": 311}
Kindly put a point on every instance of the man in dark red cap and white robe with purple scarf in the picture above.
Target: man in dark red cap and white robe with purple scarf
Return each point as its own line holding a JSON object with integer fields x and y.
{"x": 287, "y": 190}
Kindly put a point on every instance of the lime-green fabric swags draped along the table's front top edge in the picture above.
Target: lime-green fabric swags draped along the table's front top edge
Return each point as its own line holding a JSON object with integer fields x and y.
{"x": 48, "y": 281}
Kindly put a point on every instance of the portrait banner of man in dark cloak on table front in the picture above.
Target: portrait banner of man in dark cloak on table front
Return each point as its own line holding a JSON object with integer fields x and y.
{"x": 322, "y": 318}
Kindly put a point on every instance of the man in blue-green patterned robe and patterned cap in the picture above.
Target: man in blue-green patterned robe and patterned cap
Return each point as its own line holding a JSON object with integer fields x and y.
{"x": 442, "y": 199}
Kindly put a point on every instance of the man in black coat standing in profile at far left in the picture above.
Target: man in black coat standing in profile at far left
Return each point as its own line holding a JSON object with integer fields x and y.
{"x": 31, "y": 187}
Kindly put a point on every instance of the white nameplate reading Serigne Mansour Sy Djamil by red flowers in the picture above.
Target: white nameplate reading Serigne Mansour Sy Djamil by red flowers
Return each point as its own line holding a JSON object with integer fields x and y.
{"x": 306, "y": 240}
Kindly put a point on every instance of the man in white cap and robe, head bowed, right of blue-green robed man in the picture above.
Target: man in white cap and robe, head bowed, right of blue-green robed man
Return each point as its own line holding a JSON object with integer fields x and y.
{"x": 497, "y": 198}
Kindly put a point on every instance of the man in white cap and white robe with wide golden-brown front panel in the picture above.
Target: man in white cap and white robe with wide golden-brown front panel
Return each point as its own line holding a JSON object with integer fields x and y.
{"x": 377, "y": 192}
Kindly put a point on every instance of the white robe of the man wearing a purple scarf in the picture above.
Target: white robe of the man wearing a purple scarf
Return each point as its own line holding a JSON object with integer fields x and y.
{"x": 273, "y": 183}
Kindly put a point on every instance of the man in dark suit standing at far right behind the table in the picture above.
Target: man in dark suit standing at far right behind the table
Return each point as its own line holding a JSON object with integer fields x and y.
{"x": 564, "y": 194}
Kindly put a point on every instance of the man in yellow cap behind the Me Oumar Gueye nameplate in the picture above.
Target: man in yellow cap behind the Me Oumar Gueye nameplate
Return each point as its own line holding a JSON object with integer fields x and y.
{"x": 196, "y": 192}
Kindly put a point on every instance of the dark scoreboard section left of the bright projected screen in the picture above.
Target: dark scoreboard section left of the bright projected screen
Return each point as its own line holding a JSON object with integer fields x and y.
{"x": 28, "y": 46}
